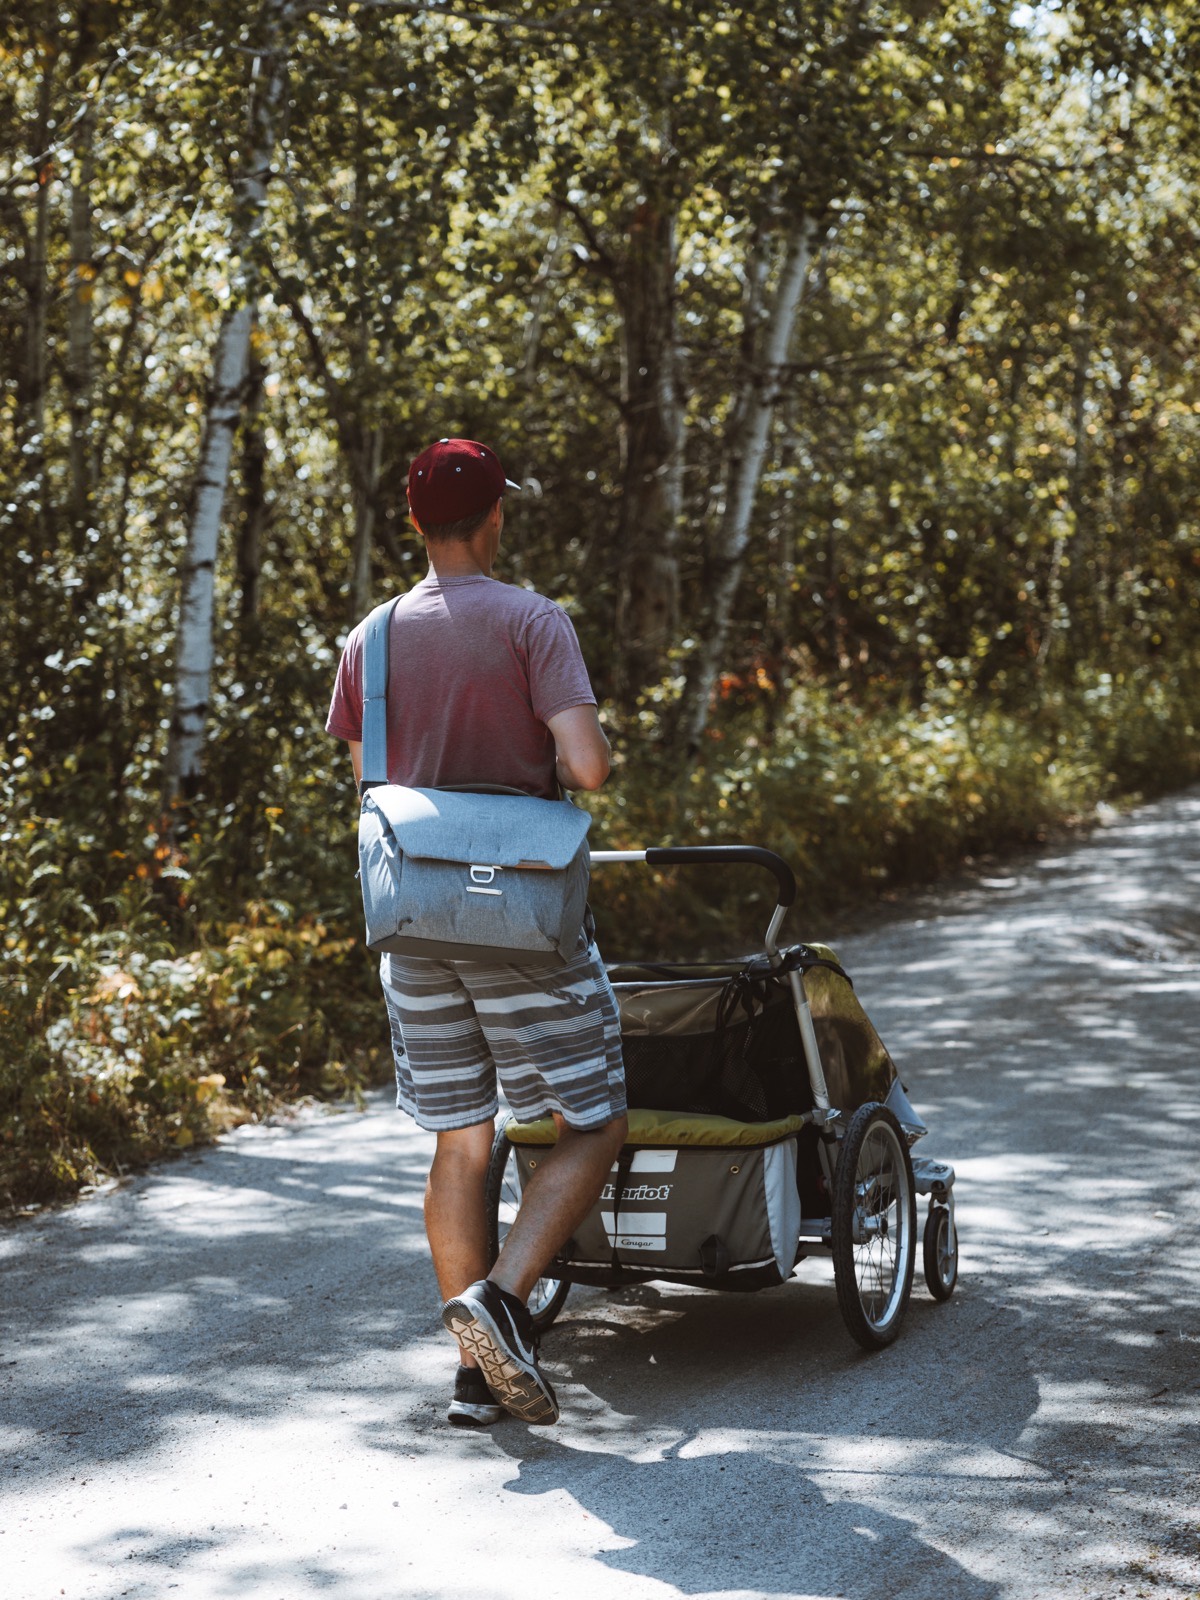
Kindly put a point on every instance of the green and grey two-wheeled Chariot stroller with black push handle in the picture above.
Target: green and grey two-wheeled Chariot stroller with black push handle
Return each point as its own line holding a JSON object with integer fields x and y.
{"x": 767, "y": 1124}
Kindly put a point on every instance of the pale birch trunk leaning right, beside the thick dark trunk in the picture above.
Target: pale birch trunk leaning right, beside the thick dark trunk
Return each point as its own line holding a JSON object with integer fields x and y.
{"x": 751, "y": 428}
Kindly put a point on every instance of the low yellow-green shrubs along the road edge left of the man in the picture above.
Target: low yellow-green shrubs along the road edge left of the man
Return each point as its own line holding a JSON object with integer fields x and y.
{"x": 126, "y": 1054}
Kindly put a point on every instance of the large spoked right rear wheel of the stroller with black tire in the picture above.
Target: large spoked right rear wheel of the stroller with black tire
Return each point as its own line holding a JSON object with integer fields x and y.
{"x": 874, "y": 1226}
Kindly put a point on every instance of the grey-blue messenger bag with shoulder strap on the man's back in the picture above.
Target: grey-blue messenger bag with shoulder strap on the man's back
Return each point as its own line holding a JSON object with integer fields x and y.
{"x": 463, "y": 874}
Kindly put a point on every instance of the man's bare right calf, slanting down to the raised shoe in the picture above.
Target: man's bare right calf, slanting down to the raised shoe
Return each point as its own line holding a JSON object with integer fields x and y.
{"x": 554, "y": 1202}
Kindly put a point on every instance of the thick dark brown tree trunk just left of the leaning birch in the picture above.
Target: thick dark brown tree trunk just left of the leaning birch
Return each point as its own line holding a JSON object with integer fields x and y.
{"x": 652, "y": 455}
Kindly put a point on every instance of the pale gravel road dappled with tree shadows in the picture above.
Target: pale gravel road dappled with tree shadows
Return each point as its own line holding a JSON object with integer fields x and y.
{"x": 228, "y": 1378}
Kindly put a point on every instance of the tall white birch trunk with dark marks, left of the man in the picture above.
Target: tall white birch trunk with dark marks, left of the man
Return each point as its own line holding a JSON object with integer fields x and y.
{"x": 231, "y": 364}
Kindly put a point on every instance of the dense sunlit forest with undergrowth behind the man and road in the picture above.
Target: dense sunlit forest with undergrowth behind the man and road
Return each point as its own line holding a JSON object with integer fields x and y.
{"x": 847, "y": 351}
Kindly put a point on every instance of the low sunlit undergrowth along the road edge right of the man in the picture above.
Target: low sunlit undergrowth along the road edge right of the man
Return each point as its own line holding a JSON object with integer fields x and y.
{"x": 866, "y": 799}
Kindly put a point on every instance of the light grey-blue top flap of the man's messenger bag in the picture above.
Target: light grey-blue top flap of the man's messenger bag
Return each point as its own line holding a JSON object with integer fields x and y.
{"x": 498, "y": 831}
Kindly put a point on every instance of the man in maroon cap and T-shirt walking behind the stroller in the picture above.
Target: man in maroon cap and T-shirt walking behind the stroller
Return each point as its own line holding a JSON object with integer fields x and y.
{"x": 487, "y": 686}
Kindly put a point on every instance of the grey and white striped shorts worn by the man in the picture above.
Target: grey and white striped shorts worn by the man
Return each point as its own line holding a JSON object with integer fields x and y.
{"x": 550, "y": 1034}
